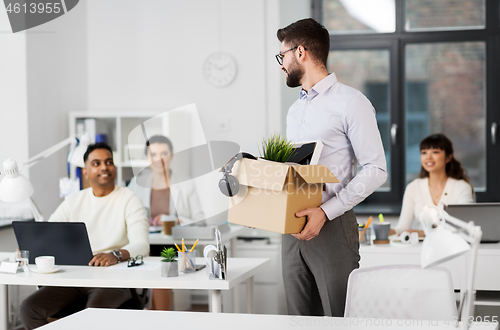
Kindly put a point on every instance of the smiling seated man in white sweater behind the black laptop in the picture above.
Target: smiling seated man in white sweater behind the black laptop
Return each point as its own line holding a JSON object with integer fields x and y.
{"x": 118, "y": 229}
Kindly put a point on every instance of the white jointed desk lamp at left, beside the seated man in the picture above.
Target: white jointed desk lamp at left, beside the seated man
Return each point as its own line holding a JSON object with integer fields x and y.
{"x": 15, "y": 187}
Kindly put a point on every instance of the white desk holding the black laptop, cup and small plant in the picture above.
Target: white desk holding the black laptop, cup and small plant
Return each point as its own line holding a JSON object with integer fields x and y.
{"x": 239, "y": 270}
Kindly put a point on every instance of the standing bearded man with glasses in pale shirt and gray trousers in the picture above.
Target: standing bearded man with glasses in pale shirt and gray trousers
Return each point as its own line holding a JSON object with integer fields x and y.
{"x": 318, "y": 260}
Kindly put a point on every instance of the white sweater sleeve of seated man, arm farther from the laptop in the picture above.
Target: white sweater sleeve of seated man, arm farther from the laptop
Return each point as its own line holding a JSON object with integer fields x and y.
{"x": 137, "y": 228}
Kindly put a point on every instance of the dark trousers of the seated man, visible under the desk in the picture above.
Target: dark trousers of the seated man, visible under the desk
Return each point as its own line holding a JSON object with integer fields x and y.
{"x": 48, "y": 301}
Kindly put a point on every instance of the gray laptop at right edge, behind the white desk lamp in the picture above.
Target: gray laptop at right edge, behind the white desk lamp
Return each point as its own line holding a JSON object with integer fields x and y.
{"x": 486, "y": 215}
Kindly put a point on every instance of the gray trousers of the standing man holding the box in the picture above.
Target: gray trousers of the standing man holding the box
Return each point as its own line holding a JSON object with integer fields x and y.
{"x": 315, "y": 272}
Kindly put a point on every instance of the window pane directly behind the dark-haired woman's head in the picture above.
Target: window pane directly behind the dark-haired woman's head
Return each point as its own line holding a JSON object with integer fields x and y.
{"x": 450, "y": 80}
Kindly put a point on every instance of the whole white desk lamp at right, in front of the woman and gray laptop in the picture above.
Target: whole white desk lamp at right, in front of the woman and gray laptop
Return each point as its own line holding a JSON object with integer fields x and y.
{"x": 446, "y": 238}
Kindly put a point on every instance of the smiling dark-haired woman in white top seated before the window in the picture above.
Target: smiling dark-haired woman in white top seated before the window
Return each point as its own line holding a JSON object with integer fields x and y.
{"x": 442, "y": 181}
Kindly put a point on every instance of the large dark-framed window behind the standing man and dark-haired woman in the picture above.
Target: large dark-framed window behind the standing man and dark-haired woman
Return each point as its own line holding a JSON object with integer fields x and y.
{"x": 431, "y": 67}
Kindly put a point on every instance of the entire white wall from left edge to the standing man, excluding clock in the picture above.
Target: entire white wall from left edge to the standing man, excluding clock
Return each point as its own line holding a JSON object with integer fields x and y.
{"x": 128, "y": 55}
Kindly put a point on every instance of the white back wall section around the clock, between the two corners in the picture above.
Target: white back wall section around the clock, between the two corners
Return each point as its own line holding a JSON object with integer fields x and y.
{"x": 150, "y": 57}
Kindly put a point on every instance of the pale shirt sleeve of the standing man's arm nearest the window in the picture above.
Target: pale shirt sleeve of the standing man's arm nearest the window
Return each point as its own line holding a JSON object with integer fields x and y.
{"x": 361, "y": 129}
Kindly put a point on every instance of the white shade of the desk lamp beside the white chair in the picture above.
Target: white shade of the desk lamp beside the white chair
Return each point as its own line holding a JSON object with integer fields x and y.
{"x": 442, "y": 245}
